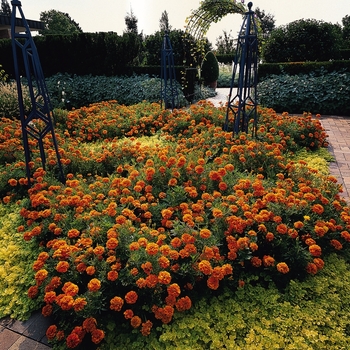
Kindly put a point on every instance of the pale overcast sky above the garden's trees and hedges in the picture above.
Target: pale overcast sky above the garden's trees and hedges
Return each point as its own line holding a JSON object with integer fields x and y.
{"x": 108, "y": 15}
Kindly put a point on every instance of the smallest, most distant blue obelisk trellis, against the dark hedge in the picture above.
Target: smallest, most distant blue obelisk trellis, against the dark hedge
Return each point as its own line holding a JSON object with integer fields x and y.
{"x": 168, "y": 92}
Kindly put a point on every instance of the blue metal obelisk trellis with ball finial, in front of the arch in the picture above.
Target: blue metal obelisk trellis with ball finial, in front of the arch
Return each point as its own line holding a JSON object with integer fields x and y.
{"x": 243, "y": 104}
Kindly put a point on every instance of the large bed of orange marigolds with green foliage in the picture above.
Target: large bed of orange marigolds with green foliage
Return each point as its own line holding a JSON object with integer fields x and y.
{"x": 162, "y": 207}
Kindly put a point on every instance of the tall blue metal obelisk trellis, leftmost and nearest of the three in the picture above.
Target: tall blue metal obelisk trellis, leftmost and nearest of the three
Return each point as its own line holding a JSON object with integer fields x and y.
{"x": 37, "y": 122}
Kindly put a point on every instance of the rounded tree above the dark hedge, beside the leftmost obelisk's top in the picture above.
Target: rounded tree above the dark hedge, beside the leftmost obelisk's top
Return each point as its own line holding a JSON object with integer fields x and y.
{"x": 57, "y": 22}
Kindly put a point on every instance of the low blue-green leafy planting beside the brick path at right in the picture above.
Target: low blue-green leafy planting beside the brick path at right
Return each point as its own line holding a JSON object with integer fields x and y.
{"x": 327, "y": 93}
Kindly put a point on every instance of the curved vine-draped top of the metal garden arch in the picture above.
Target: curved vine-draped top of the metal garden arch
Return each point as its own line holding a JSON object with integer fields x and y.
{"x": 198, "y": 23}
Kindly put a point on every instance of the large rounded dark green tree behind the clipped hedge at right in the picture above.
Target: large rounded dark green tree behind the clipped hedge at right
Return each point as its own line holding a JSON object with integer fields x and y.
{"x": 303, "y": 40}
